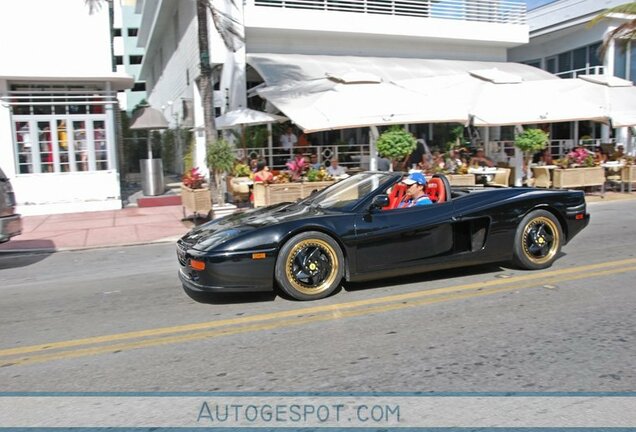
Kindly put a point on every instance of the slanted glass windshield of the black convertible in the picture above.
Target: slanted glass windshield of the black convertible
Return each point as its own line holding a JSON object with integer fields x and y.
{"x": 347, "y": 192}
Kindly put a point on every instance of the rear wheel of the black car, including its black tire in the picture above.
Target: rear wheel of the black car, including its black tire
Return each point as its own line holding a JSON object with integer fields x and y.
{"x": 538, "y": 240}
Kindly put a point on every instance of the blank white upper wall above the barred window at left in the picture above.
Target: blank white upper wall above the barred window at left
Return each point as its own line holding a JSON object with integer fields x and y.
{"x": 45, "y": 37}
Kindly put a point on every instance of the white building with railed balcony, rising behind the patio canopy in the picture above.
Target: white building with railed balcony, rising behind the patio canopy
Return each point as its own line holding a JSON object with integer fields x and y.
{"x": 452, "y": 29}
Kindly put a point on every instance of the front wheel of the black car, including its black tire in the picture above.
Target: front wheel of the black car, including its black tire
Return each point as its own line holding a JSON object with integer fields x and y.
{"x": 309, "y": 266}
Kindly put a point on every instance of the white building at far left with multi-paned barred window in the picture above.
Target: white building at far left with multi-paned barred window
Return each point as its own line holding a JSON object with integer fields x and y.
{"x": 57, "y": 106}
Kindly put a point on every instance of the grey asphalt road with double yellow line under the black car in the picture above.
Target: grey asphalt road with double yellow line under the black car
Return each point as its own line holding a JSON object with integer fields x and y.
{"x": 117, "y": 320}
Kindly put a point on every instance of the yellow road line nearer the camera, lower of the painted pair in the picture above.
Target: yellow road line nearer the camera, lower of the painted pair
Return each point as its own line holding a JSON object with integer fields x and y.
{"x": 297, "y": 321}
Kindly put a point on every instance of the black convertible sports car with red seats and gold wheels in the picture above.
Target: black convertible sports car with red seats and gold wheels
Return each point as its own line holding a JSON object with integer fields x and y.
{"x": 353, "y": 230}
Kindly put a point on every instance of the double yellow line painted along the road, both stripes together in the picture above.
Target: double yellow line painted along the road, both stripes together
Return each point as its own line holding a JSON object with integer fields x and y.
{"x": 296, "y": 317}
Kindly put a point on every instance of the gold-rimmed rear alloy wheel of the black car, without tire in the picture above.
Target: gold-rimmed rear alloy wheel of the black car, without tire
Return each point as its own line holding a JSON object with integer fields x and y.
{"x": 541, "y": 240}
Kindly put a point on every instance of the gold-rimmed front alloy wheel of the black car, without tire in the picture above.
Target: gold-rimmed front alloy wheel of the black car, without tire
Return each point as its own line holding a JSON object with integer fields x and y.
{"x": 312, "y": 266}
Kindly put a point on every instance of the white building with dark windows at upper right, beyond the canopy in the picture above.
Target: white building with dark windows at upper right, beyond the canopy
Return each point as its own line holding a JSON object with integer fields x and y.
{"x": 563, "y": 42}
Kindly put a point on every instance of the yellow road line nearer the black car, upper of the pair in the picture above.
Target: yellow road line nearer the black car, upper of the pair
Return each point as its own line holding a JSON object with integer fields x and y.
{"x": 308, "y": 310}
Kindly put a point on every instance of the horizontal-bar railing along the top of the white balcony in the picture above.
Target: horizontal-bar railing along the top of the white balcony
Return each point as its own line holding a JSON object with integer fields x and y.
{"x": 491, "y": 11}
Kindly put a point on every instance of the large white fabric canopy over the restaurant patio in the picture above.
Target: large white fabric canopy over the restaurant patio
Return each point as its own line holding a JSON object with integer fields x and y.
{"x": 326, "y": 92}
